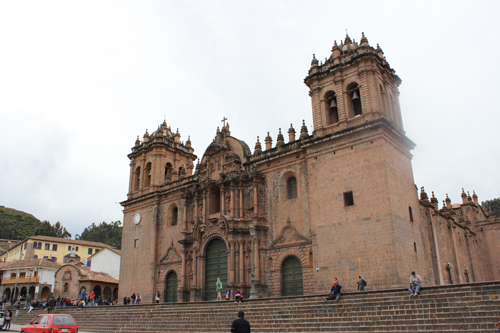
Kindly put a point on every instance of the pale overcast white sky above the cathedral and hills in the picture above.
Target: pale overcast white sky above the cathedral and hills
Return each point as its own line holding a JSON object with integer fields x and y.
{"x": 80, "y": 80}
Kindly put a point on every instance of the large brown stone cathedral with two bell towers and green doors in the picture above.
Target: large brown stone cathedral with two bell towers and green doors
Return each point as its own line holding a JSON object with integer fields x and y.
{"x": 335, "y": 202}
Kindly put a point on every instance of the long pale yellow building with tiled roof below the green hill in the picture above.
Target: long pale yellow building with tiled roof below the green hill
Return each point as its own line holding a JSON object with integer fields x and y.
{"x": 56, "y": 249}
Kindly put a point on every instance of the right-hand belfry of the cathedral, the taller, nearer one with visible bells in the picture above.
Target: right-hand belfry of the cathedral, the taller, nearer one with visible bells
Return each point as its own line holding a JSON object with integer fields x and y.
{"x": 354, "y": 85}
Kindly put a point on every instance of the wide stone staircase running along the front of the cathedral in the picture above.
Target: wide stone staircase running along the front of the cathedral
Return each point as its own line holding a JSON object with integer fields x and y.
{"x": 458, "y": 308}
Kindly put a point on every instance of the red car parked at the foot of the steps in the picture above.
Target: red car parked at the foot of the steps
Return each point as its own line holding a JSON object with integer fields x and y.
{"x": 51, "y": 323}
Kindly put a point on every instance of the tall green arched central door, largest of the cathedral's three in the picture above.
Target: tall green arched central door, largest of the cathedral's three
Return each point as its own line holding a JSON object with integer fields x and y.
{"x": 216, "y": 267}
